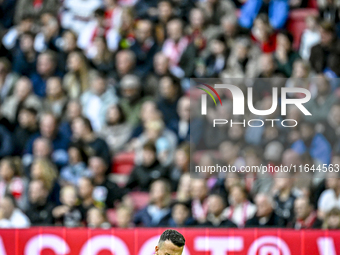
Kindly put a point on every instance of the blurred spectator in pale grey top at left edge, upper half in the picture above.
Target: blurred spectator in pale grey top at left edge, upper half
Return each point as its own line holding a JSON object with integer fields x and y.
{"x": 21, "y": 97}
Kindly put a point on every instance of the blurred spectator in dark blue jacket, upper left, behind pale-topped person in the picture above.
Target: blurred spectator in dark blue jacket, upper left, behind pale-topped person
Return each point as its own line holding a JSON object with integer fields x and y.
{"x": 46, "y": 68}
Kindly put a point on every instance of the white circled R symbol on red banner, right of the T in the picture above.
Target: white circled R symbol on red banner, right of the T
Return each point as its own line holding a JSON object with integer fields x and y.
{"x": 269, "y": 245}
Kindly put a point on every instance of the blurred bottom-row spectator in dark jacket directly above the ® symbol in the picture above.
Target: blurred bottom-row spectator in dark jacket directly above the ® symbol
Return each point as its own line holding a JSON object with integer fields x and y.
{"x": 265, "y": 216}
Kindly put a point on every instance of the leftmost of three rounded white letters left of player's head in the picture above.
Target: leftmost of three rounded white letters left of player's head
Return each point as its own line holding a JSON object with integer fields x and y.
{"x": 46, "y": 241}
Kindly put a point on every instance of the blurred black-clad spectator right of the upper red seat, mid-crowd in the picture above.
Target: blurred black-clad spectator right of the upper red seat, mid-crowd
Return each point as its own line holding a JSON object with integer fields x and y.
{"x": 150, "y": 170}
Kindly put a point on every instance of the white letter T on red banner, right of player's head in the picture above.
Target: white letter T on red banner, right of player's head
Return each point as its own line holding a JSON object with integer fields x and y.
{"x": 218, "y": 245}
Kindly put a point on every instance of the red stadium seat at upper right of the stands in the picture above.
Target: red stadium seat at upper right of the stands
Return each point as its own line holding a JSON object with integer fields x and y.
{"x": 296, "y": 23}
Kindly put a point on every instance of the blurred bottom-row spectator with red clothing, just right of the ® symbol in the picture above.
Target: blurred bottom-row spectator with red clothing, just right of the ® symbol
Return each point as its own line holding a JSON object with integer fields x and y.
{"x": 305, "y": 216}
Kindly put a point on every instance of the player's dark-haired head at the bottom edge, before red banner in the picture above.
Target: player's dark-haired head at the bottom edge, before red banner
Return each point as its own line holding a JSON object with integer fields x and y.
{"x": 171, "y": 242}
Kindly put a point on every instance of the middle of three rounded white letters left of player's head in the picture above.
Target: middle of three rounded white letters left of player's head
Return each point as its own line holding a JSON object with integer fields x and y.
{"x": 105, "y": 242}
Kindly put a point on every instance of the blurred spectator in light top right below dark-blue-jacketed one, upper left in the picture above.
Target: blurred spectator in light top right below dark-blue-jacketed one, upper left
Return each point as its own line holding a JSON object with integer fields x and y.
{"x": 56, "y": 98}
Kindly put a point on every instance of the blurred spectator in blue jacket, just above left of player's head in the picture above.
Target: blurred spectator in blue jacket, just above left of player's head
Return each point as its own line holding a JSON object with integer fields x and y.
{"x": 158, "y": 212}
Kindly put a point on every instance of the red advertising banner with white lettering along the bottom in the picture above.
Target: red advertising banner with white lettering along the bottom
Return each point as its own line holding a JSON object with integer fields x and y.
{"x": 139, "y": 241}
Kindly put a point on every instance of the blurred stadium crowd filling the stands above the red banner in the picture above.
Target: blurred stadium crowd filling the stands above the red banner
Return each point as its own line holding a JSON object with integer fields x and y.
{"x": 95, "y": 112}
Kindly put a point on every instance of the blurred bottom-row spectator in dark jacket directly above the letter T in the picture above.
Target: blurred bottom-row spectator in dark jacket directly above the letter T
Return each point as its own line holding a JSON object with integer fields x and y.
{"x": 216, "y": 216}
